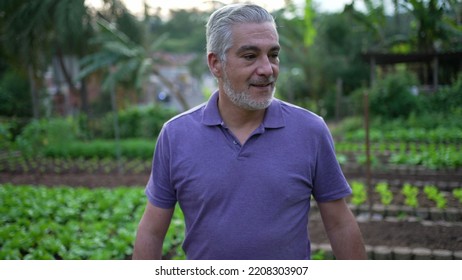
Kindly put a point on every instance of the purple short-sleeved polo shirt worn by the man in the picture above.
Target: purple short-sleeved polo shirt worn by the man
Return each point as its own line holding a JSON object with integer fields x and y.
{"x": 250, "y": 201}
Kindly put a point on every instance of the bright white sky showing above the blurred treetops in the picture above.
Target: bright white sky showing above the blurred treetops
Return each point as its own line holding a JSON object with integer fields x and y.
{"x": 136, "y": 6}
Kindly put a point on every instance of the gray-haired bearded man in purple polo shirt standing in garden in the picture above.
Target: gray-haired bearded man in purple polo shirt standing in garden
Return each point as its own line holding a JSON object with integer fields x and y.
{"x": 244, "y": 166}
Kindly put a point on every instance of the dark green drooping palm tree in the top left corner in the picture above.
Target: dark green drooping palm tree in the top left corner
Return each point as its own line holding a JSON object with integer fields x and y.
{"x": 34, "y": 31}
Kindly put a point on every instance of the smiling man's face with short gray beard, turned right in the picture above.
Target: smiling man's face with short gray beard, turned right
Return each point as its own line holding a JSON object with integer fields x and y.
{"x": 252, "y": 66}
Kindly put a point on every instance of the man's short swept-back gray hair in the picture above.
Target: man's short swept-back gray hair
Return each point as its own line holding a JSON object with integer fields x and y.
{"x": 220, "y": 24}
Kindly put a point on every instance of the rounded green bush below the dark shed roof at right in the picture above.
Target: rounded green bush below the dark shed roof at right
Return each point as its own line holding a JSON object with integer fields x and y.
{"x": 392, "y": 96}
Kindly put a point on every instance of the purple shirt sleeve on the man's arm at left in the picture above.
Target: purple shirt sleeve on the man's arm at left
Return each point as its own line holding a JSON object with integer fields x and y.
{"x": 159, "y": 189}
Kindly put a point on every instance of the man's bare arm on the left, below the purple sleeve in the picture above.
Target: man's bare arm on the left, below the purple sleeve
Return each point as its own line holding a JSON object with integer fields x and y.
{"x": 151, "y": 233}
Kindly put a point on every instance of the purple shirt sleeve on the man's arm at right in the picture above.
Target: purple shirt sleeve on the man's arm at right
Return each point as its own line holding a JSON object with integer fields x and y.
{"x": 329, "y": 181}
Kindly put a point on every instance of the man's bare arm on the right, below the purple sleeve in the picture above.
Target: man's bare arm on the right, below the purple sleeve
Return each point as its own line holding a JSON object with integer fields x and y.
{"x": 342, "y": 229}
